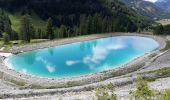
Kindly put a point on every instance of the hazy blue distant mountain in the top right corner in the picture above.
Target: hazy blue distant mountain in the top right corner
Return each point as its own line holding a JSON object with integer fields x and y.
{"x": 164, "y": 4}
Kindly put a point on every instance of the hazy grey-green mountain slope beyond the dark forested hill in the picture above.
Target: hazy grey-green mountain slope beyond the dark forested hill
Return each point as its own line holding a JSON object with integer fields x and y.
{"x": 146, "y": 8}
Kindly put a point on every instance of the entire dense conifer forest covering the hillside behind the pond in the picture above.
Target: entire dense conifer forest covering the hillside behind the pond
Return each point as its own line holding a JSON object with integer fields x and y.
{"x": 66, "y": 18}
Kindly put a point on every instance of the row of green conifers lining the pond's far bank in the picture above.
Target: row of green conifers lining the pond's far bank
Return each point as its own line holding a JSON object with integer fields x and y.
{"x": 88, "y": 25}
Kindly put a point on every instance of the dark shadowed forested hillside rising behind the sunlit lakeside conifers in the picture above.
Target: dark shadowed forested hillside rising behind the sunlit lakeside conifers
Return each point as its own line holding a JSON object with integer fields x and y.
{"x": 68, "y": 12}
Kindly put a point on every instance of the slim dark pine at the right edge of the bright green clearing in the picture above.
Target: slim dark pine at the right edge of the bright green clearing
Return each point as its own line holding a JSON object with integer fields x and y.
{"x": 49, "y": 29}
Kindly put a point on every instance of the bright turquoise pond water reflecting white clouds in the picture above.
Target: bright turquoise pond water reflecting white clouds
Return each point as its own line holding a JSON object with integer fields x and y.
{"x": 83, "y": 57}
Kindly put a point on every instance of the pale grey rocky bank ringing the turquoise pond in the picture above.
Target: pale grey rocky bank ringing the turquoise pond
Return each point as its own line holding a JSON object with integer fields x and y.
{"x": 77, "y": 84}
